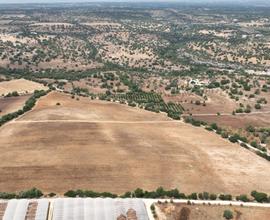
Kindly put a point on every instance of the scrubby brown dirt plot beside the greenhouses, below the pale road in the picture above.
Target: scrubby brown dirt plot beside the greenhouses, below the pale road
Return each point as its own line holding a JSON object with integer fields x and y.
{"x": 205, "y": 212}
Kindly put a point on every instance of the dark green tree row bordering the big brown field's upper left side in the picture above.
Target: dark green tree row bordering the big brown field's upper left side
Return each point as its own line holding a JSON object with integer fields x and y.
{"x": 29, "y": 104}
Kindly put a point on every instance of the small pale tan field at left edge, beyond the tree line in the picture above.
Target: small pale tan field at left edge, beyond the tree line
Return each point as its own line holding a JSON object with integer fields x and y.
{"x": 22, "y": 86}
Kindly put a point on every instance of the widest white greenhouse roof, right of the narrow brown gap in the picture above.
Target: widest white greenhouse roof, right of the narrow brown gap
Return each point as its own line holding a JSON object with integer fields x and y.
{"x": 96, "y": 209}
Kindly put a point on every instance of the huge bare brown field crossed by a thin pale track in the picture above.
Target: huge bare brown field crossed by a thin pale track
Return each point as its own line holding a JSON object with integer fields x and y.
{"x": 106, "y": 146}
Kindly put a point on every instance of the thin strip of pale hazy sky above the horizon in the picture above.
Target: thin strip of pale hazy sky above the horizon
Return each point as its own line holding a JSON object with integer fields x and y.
{"x": 208, "y": 1}
